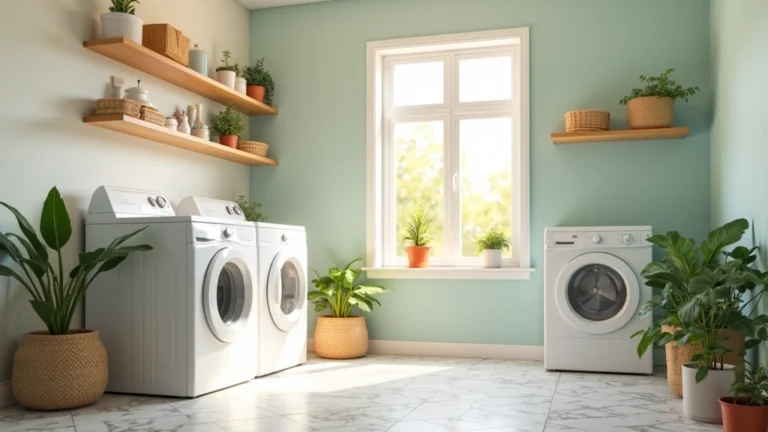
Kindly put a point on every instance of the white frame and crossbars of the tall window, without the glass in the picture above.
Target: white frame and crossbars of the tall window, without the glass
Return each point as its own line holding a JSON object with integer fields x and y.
{"x": 381, "y": 58}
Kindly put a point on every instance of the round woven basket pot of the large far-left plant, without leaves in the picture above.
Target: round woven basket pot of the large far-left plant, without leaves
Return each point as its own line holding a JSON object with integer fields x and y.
{"x": 59, "y": 372}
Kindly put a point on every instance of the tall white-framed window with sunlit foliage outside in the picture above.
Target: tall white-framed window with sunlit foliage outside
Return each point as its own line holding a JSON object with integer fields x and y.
{"x": 448, "y": 128}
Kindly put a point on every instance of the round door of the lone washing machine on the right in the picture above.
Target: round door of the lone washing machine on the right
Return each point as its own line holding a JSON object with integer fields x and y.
{"x": 597, "y": 293}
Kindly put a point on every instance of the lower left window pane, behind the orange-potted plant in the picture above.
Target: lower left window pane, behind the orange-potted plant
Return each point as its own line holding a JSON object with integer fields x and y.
{"x": 419, "y": 177}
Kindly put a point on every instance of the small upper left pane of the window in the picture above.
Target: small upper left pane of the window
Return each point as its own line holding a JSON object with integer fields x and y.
{"x": 418, "y": 84}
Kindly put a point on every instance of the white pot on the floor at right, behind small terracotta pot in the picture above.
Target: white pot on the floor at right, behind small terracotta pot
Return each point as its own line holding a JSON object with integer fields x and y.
{"x": 701, "y": 400}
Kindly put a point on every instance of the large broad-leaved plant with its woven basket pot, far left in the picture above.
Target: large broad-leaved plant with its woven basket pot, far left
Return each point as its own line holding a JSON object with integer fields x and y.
{"x": 58, "y": 368}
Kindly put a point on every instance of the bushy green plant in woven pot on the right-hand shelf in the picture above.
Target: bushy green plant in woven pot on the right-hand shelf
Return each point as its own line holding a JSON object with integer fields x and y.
{"x": 653, "y": 106}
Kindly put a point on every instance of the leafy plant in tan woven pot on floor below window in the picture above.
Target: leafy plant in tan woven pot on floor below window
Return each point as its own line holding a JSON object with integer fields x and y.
{"x": 342, "y": 335}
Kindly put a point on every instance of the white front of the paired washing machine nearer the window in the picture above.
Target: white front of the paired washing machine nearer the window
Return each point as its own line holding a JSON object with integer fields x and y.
{"x": 282, "y": 297}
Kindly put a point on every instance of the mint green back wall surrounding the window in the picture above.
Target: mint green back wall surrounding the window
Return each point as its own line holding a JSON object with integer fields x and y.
{"x": 584, "y": 54}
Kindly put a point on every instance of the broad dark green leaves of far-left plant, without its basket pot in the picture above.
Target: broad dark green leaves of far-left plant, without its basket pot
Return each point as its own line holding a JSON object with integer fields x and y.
{"x": 55, "y": 293}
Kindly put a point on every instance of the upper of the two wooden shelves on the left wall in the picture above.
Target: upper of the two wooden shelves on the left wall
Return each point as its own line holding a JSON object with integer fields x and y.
{"x": 138, "y": 57}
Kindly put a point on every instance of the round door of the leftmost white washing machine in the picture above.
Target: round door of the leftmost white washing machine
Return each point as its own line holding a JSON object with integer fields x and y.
{"x": 227, "y": 294}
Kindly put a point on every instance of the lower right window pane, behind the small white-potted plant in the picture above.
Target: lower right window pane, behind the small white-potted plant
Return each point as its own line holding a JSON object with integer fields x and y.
{"x": 486, "y": 179}
